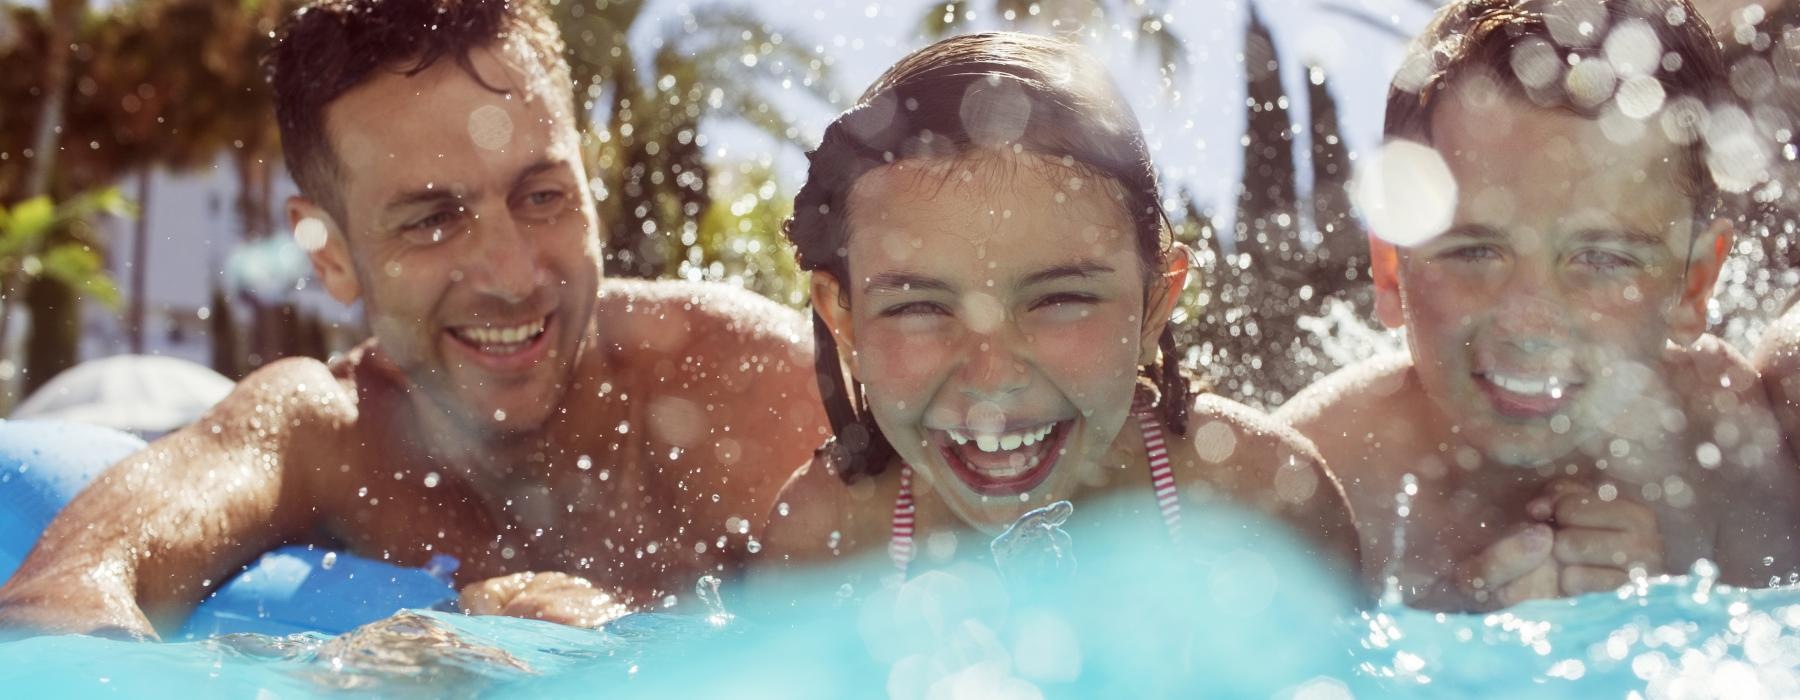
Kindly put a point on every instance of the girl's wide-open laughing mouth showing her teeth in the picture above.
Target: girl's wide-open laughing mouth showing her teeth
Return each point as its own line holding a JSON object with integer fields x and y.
{"x": 1011, "y": 463}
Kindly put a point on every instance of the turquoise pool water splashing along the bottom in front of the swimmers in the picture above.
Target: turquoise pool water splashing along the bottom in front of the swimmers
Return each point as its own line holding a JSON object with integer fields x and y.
{"x": 1243, "y": 618}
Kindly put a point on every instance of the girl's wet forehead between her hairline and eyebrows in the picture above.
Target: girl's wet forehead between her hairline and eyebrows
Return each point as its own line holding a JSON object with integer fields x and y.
{"x": 1003, "y": 211}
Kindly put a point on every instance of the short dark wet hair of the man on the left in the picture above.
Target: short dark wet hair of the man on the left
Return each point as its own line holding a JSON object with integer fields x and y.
{"x": 334, "y": 46}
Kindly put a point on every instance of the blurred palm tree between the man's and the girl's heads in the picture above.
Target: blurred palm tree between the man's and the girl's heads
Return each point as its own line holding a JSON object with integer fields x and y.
{"x": 649, "y": 156}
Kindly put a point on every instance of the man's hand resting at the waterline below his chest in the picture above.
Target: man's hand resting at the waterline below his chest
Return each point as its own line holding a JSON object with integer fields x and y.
{"x": 548, "y": 597}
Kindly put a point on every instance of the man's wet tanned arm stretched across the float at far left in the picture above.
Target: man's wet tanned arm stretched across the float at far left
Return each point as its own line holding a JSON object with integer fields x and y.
{"x": 141, "y": 546}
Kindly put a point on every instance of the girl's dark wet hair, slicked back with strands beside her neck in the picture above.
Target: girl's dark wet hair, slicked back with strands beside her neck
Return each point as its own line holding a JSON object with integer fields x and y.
{"x": 975, "y": 93}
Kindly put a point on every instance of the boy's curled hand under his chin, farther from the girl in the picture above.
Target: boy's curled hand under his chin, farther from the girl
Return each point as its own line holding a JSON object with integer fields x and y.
{"x": 1597, "y": 543}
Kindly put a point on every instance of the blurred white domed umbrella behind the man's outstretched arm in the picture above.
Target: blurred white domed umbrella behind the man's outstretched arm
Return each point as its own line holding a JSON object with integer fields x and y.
{"x": 145, "y": 395}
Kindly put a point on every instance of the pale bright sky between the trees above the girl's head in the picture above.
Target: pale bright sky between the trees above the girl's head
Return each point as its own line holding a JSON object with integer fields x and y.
{"x": 1192, "y": 127}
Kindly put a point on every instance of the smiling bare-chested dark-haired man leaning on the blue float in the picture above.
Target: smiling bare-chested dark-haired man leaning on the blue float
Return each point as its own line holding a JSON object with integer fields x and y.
{"x": 582, "y": 447}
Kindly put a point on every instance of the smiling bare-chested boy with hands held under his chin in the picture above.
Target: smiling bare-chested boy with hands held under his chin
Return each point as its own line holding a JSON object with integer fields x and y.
{"x": 1561, "y": 418}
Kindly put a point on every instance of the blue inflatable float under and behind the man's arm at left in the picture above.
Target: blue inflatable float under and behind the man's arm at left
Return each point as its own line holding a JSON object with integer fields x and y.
{"x": 287, "y": 591}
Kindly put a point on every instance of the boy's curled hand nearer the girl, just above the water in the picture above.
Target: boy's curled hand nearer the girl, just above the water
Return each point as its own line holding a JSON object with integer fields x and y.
{"x": 1515, "y": 570}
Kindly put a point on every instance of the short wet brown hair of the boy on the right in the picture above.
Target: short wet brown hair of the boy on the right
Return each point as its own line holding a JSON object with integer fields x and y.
{"x": 1565, "y": 55}
